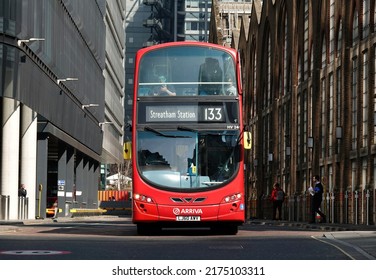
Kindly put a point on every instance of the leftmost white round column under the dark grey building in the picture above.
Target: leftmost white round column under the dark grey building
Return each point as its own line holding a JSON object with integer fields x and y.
{"x": 9, "y": 183}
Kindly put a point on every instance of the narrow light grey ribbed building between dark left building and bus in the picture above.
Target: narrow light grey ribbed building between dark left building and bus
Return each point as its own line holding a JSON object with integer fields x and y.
{"x": 114, "y": 74}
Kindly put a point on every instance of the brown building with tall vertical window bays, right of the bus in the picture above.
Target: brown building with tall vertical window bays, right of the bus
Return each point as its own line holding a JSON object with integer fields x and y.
{"x": 310, "y": 103}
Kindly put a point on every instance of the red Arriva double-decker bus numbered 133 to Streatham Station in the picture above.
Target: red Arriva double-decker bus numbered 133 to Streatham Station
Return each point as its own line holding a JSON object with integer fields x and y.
{"x": 188, "y": 138}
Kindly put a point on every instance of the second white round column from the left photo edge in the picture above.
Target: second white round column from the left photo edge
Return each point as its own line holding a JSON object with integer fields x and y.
{"x": 28, "y": 156}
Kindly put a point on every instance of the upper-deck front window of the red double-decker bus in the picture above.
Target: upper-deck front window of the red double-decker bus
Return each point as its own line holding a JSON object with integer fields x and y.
{"x": 187, "y": 71}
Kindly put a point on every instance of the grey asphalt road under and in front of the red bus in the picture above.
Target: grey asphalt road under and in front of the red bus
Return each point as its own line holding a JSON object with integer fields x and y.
{"x": 115, "y": 238}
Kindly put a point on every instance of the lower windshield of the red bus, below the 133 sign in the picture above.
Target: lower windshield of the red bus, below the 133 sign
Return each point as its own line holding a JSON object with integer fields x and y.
{"x": 184, "y": 159}
